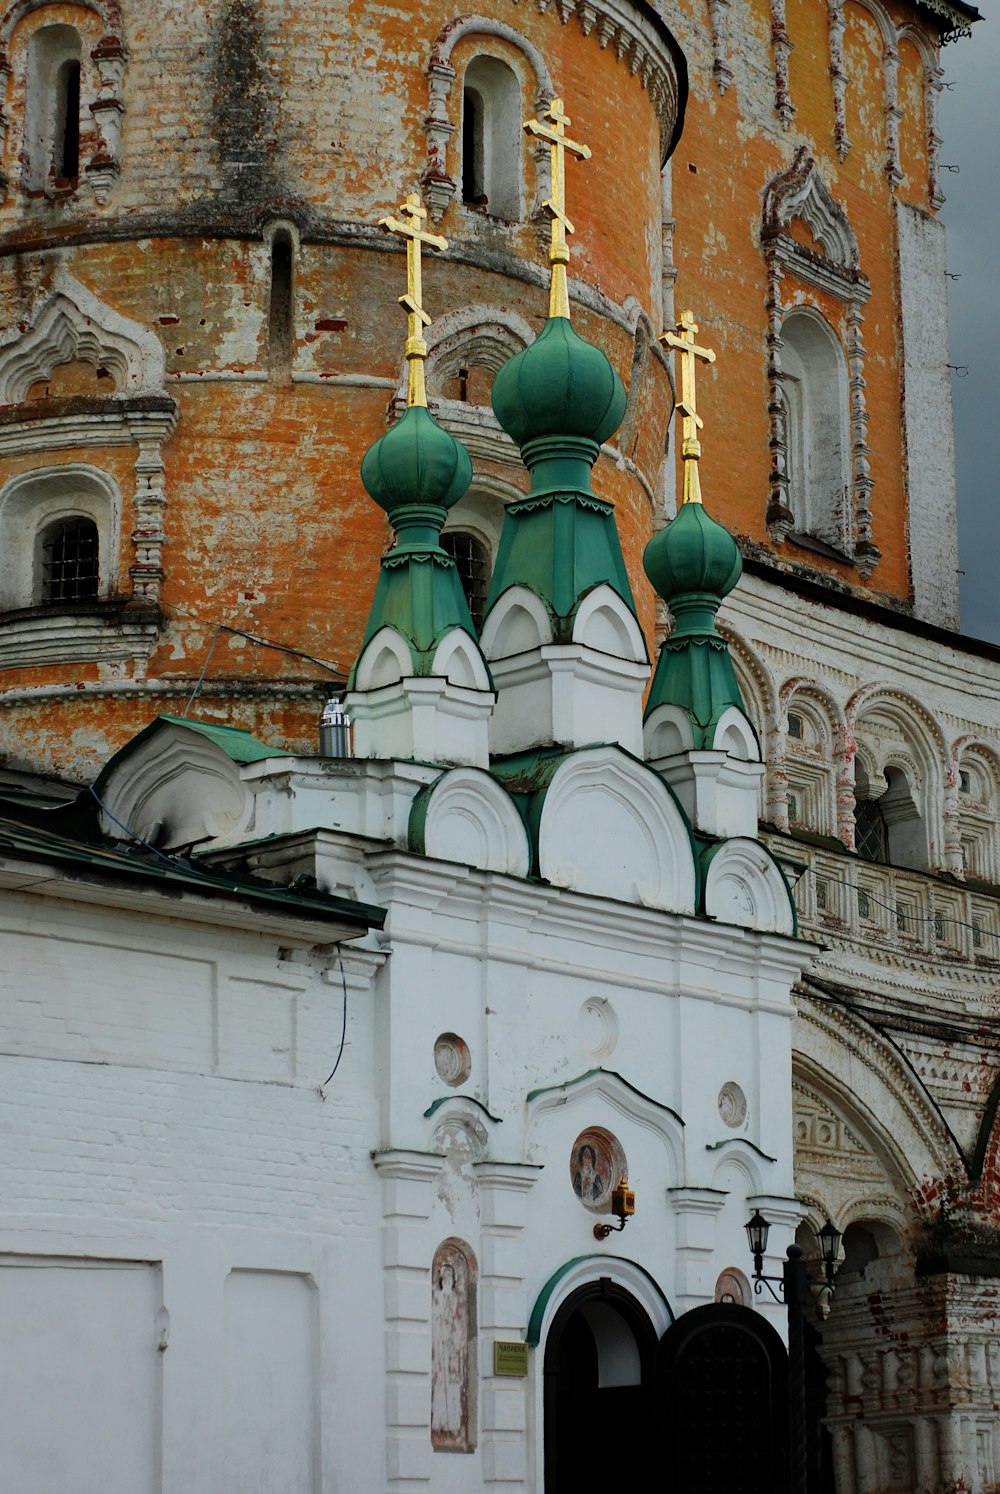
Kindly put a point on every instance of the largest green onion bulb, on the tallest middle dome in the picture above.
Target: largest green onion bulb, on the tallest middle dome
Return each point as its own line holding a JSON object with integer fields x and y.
{"x": 561, "y": 386}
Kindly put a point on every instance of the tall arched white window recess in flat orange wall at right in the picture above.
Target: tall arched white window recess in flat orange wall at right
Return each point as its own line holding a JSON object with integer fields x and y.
{"x": 815, "y": 401}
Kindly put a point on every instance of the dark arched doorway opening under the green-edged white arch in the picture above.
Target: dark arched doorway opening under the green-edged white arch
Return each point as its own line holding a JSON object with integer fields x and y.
{"x": 599, "y": 1375}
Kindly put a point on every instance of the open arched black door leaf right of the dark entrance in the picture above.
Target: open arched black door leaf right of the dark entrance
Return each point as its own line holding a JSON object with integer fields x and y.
{"x": 723, "y": 1390}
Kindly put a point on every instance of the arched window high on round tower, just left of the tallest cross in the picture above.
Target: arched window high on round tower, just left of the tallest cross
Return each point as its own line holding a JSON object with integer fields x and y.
{"x": 491, "y": 138}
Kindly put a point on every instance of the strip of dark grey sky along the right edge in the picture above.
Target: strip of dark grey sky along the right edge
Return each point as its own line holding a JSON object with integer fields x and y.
{"x": 971, "y": 125}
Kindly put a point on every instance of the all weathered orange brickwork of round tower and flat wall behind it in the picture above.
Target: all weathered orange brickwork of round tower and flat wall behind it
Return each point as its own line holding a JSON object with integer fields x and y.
{"x": 235, "y": 120}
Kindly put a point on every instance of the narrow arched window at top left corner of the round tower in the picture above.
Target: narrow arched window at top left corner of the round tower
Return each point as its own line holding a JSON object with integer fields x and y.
{"x": 52, "y": 123}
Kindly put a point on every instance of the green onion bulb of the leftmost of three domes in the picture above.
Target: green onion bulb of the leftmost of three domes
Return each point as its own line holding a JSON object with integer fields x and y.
{"x": 416, "y": 462}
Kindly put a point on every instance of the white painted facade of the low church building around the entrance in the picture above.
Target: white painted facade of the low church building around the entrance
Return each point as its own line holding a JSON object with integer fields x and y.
{"x": 240, "y": 1253}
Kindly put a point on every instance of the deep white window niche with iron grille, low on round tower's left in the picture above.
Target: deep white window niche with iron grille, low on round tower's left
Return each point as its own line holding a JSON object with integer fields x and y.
{"x": 59, "y": 533}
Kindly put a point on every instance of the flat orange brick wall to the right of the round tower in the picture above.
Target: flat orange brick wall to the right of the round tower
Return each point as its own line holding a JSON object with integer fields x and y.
{"x": 732, "y": 147}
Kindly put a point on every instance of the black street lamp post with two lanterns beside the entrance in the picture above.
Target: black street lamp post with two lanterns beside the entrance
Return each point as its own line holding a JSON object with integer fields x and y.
{"x": 794, "y": 1290}
